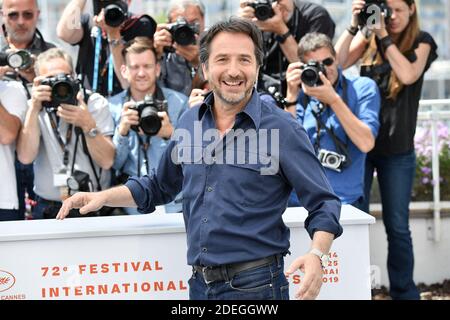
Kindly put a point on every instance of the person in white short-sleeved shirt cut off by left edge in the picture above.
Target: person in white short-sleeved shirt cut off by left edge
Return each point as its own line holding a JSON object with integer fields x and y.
{"x": 12, "y": 113}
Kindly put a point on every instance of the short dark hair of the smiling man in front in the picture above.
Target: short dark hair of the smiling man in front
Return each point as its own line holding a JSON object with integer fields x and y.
{"x": 232, "y": 25}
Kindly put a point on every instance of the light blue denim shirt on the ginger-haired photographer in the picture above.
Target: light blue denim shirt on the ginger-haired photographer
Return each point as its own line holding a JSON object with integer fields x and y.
{"x": 128, "y": 147}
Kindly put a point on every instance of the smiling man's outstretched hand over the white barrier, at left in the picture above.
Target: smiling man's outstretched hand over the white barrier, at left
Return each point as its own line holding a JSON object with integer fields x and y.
{"x": 85, "y": 201}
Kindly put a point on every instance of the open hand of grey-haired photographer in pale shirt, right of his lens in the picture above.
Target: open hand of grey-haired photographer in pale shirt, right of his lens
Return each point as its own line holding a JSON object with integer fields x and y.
{"x": 79, "y": 115}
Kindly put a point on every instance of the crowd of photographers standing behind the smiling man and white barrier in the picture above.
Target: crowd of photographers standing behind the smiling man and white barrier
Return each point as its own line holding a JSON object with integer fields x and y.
{"x": 66, "y": 128}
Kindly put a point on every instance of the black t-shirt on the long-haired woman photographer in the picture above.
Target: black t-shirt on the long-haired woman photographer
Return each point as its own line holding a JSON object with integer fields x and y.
{"x": 398, "y": 118}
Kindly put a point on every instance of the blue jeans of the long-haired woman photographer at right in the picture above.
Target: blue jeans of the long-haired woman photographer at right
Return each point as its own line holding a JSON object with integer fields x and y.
{"x": 395, "y": 175}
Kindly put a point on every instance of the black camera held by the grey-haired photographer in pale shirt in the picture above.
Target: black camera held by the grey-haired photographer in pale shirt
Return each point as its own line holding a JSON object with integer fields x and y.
{"x": 64, "y": 90}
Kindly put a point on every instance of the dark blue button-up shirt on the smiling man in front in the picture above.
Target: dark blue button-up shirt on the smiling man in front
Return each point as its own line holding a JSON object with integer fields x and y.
{"x": 232, "y": 212}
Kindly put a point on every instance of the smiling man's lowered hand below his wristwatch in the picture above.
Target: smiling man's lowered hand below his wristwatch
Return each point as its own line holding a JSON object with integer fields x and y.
{"x": 311, "y": 283}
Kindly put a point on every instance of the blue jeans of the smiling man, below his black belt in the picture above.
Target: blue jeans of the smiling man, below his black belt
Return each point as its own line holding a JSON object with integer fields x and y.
{"x": 261, "y": 283}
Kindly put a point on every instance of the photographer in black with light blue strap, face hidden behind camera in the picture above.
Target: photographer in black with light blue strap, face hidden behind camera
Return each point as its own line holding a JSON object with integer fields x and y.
{"x": 101, "y": 39}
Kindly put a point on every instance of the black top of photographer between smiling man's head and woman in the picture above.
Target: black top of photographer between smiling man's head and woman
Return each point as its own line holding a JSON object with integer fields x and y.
{"x": 307, "y": 17}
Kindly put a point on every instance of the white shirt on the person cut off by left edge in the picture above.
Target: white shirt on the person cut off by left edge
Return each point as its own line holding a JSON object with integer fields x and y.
{"x": 14, "y": 100}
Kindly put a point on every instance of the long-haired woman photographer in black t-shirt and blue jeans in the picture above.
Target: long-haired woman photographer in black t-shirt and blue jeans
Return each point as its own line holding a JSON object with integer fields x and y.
{"x": 396, "y": 55}
